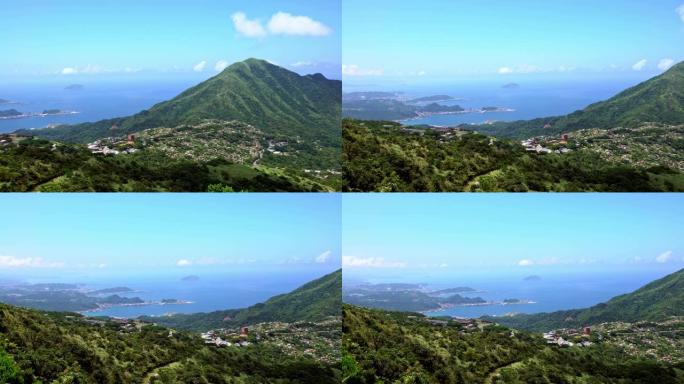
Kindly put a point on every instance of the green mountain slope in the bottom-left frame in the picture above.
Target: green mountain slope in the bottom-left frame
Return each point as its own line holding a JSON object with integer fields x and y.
{"x": 313, "y": 301}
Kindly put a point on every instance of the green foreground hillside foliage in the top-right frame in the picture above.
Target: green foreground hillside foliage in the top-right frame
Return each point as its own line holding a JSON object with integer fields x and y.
{"x": 386, "y": 157}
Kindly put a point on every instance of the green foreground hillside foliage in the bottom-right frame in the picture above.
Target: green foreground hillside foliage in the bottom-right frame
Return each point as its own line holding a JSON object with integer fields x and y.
{"x": 393, "y": 347}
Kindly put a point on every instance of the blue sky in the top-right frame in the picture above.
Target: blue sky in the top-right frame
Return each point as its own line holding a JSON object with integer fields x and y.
{"x": 391, "y": 41}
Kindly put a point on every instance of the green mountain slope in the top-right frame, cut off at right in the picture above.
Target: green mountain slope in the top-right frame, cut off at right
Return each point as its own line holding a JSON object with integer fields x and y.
{"x": 658, "y": 100}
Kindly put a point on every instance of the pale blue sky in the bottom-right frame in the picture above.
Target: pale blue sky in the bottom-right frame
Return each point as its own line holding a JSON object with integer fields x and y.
{"x": 438, "y": 234}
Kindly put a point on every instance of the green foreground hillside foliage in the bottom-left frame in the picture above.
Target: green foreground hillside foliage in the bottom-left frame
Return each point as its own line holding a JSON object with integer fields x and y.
{"x": 67, "y": 348}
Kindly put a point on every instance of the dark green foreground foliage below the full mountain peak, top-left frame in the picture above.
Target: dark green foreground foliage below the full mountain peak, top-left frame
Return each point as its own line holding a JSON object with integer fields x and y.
{"x": 40, "y": 165}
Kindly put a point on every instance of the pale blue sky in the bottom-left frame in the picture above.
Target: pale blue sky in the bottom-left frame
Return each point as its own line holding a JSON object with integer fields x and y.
{"x": 143, "y": 234}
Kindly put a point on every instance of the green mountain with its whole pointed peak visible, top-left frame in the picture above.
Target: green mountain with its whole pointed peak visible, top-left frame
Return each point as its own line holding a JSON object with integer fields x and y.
{"x": 277, "y": 101}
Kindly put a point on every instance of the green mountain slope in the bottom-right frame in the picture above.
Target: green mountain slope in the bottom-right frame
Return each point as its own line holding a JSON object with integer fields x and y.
{"x": 655, "y": 301}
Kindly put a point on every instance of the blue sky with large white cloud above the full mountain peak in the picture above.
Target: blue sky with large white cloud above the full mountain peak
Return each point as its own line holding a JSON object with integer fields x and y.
{"x": 78, "y": 38}
